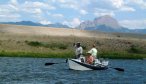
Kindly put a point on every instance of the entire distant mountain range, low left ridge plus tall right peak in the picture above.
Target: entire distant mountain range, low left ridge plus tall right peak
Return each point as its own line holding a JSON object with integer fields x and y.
{"x": 104, "y": 23}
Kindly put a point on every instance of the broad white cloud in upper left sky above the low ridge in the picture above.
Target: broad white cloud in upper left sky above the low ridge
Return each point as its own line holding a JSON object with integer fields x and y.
{"x": 35, "y": 10}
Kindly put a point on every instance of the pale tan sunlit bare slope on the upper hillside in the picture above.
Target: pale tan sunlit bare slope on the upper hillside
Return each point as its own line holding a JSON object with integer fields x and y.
{"x": 48, "y": 31}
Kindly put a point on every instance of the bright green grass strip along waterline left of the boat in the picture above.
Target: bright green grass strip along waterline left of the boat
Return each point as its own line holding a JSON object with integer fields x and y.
{"x": 35, "y": 54}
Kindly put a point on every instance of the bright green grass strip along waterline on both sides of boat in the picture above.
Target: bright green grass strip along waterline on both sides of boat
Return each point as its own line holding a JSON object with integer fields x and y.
{"x": 108, "y": 55}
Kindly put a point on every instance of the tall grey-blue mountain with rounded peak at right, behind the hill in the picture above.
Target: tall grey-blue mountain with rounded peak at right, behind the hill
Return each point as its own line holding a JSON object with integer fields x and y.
{"x": 107, "y": 24}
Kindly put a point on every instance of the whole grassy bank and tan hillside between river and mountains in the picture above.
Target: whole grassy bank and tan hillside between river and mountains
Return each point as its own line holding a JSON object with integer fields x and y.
{"x": 30, "y": 44}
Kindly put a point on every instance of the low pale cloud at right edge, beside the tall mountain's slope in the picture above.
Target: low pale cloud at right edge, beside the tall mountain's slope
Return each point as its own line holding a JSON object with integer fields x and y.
{"x": 134, "y": 24}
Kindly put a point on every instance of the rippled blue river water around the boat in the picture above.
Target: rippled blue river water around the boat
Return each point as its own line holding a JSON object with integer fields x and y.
{"x": 33, "y": 71}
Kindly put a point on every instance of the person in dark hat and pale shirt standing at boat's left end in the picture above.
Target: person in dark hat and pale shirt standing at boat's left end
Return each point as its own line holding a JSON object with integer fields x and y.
{"x": 78, "y": 50}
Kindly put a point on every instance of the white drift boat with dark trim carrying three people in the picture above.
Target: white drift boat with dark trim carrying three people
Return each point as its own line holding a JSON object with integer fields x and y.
{"x": 78, "y": 64}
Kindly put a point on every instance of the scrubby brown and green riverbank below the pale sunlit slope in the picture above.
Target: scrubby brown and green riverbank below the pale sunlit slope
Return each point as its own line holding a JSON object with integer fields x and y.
{"x": 62, "y": 47}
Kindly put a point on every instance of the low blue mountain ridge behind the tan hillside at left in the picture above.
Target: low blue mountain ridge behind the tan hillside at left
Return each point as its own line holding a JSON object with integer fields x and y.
{"x": 30, "y": 23}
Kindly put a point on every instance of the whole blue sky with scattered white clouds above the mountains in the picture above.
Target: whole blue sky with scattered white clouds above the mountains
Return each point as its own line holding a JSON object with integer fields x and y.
{"x": 129, "y": 13}
